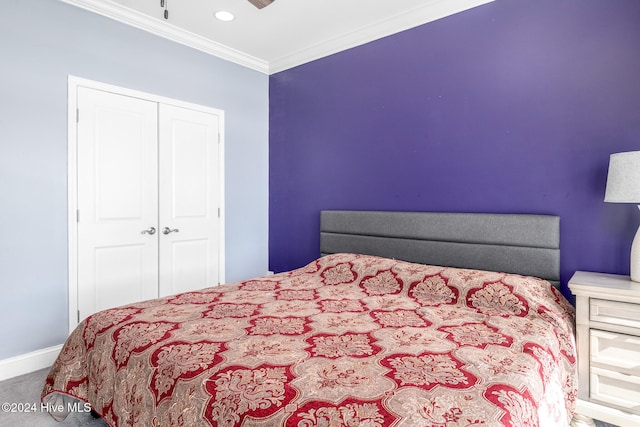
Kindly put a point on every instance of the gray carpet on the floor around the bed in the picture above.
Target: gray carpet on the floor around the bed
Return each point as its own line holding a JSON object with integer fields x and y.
{"x": 26, "y": 390}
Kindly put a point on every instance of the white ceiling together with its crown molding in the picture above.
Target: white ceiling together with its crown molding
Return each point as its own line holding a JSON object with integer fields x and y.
{"x": 280, "y": 36}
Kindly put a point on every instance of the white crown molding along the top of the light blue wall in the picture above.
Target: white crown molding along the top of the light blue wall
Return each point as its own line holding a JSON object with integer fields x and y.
{"x": 144, "y": 22}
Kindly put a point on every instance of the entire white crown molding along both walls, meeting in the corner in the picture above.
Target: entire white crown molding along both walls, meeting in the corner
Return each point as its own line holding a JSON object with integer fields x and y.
{"x": 428, "y": 12}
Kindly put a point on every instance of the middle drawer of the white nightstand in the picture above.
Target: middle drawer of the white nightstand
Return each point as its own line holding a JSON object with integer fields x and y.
{"x": 619, "y": 352}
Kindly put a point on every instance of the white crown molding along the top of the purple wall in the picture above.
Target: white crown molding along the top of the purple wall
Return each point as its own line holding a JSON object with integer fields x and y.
{"x": 428, "y": 12}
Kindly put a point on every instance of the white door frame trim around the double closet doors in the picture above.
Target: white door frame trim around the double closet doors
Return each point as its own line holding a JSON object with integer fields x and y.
{"x": 72, "y": 176}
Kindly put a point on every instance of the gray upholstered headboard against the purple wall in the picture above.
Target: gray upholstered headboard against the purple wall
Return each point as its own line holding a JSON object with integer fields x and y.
{"x": 512, "y": 243}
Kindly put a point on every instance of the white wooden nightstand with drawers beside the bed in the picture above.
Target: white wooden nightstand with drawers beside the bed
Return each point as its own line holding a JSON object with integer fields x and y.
{"x": 608, "y": 340}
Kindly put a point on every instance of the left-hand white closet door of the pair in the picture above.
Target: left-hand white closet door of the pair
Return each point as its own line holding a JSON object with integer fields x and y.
{"x": 117, "y": 200}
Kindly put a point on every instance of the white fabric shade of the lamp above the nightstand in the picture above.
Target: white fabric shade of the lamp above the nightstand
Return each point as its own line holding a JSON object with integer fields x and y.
{"x": 623, "y": 180}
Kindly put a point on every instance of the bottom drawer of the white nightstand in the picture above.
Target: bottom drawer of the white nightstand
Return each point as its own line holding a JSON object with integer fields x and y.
{"x": 615, "y": 389}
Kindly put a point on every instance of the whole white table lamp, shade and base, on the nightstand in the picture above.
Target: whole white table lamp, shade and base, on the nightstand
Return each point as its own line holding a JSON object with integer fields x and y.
{"x": 623, "y": 186}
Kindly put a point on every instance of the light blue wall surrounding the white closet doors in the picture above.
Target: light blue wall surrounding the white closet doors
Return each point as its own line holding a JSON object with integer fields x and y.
{"x": 41, "y": 43}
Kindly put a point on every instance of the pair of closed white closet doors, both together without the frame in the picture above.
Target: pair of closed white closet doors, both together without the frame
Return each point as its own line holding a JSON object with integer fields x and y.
{"x": 148, "y": 199}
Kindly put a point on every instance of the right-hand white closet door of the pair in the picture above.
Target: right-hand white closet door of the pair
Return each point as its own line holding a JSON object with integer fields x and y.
{"x": 189, "y": 199}
